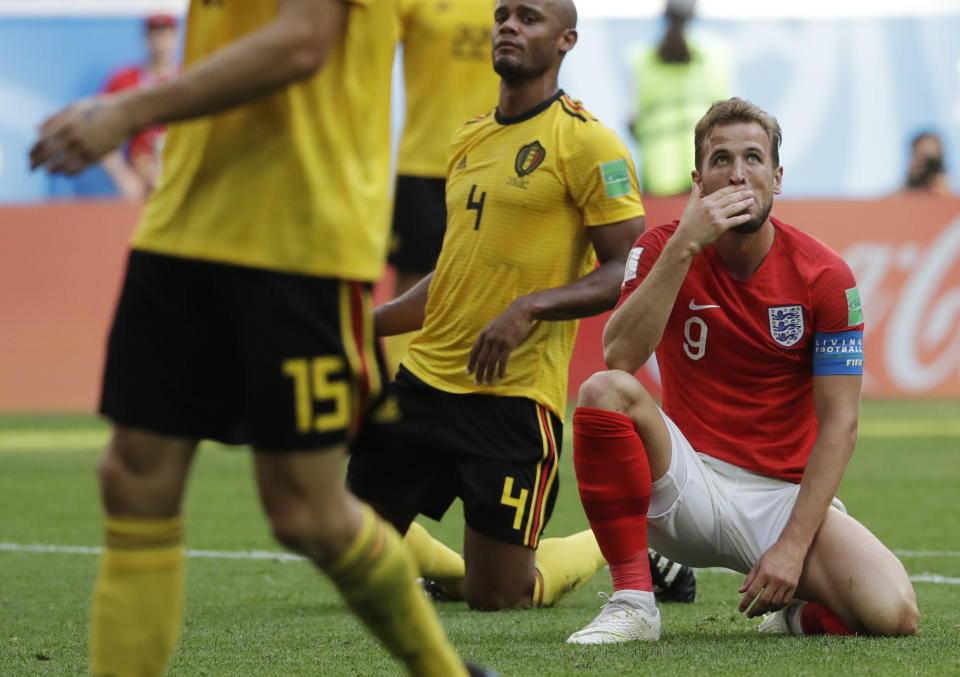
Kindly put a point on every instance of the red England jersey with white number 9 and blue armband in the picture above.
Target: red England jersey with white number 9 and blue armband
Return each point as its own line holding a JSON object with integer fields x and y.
{"x": 737, "y": 358}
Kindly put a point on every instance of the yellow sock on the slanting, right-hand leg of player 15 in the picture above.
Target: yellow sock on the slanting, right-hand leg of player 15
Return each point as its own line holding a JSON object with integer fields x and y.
{"x": 377, "y": 577}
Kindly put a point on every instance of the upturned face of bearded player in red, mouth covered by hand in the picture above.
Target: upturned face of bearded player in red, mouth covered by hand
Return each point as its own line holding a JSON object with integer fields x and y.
{"x": 739, "y": 154}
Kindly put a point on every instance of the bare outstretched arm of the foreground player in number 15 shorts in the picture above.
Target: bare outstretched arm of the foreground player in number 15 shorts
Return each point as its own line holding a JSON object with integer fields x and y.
{"x": 291, "y": 47}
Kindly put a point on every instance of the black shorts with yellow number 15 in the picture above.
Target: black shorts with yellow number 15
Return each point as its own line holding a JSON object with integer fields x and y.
{"x": 204, "y": 350}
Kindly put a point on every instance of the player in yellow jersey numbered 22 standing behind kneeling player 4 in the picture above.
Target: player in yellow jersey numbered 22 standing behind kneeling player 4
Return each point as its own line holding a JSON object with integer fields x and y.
{"x": 447, "y": 80}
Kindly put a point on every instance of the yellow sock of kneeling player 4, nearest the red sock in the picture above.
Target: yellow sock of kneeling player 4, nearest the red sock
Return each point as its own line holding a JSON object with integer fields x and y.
{"x": 564, "y": 565}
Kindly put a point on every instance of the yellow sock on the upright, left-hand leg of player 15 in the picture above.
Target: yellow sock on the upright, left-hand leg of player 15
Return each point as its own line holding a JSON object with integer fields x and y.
{"x": 138, "y": 599}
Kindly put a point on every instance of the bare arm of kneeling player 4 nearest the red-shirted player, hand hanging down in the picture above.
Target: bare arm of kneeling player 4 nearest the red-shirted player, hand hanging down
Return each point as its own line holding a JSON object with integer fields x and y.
{"x": 591, "y": 294}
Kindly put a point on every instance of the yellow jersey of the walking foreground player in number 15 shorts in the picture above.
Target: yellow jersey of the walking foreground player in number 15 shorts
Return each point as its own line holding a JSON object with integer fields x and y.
{"x": 297, "y": 181}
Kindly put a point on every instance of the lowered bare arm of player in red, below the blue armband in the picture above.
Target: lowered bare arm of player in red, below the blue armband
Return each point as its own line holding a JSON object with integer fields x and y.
{"x": 776, "y": 574}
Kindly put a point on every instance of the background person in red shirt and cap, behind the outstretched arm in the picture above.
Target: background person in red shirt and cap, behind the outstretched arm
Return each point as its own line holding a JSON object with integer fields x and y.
{"x": 134, "y": 169}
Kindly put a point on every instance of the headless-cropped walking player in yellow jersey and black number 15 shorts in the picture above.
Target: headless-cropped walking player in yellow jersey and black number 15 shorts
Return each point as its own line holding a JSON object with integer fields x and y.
{"x": 245, "y": 311}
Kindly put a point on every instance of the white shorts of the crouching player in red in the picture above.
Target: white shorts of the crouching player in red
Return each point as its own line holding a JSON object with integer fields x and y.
{"x": 708, "y": 513}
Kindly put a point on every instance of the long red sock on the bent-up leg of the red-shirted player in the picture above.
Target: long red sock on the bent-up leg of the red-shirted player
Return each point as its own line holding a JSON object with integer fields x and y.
{"x": 613, "y": 476}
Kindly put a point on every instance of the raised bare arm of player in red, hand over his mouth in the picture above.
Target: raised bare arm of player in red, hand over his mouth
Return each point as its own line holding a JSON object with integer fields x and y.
{"x": 635, "y": 328}
